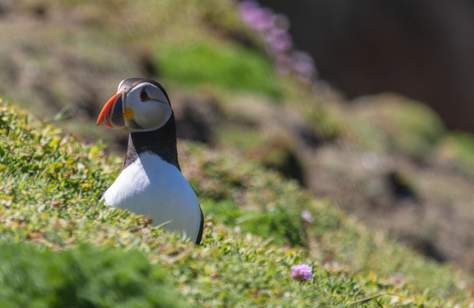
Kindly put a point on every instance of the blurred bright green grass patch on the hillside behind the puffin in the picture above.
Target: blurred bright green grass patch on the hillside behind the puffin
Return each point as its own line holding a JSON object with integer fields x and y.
{"x": 209, "y": 62}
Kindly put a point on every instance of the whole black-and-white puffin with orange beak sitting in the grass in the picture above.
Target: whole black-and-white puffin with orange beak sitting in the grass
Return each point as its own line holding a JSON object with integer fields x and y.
{"x": 150, "y": 182}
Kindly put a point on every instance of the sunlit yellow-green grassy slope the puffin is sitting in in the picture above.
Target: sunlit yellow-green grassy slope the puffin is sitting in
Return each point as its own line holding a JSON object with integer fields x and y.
{"x": 50, "y": 184}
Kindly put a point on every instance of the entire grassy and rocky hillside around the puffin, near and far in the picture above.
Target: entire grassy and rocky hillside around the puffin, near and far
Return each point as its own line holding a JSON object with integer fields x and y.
{"x": 374, "y": 193}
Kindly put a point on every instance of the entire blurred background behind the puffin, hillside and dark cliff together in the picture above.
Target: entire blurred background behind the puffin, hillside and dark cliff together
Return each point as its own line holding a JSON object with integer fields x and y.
{"x": 367, "y": 103}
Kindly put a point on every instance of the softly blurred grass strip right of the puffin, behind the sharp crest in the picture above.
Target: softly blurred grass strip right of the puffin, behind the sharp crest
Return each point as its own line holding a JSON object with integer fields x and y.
{"x": 253, "y": 200}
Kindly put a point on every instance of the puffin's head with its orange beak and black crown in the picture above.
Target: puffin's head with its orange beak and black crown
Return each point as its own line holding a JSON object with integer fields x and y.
{"x": 140, "y": 105}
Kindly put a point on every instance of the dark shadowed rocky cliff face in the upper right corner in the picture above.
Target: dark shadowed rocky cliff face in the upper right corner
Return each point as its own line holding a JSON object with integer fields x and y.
{"x": 422, "y": 49}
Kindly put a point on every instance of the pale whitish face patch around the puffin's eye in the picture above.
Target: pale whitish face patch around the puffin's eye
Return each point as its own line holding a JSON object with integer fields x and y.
{"x": 149, "y": 106}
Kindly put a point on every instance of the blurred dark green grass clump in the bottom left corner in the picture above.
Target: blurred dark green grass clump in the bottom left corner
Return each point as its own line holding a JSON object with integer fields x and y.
{"x": 85, "y": 276}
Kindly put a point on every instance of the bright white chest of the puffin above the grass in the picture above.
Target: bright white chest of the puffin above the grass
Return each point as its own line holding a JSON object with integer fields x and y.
{"x": 151, "y": 186}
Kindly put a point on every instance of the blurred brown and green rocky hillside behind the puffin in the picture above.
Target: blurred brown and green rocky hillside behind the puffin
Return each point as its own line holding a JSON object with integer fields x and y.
{"x": 385, "y": 159}
